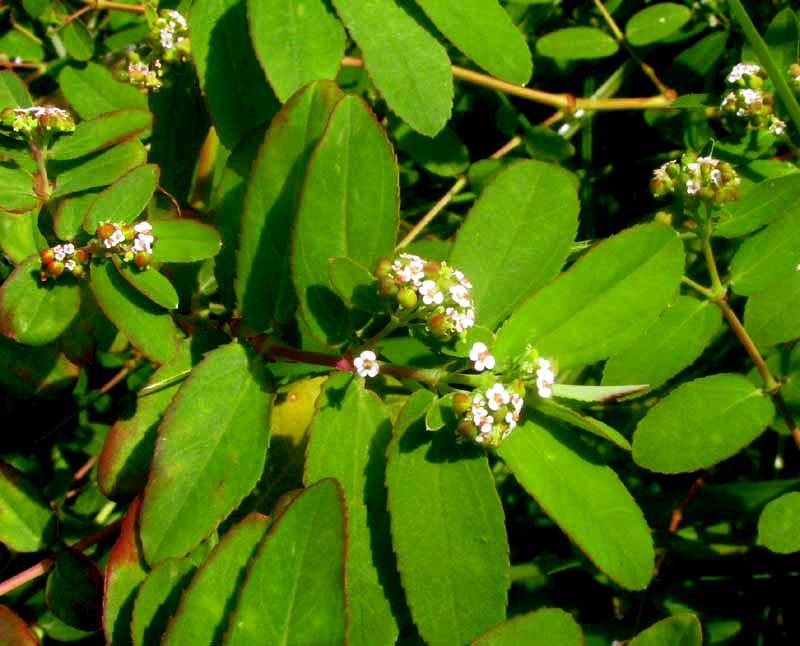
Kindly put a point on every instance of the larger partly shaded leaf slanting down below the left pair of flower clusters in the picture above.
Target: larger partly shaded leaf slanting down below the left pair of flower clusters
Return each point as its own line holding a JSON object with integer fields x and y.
{"x": 148, "y": 327}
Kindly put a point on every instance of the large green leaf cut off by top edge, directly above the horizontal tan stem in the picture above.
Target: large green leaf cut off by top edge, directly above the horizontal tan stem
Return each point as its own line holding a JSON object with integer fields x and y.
{"x": 484, "y": 32}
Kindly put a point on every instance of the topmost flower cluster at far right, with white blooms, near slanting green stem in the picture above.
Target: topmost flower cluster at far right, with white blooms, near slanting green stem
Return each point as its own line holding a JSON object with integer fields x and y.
{"x": 750, "y": 102}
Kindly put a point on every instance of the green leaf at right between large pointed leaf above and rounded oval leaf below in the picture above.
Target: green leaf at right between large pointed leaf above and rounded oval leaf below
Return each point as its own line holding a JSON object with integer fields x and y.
{"x": 671, "y": 344}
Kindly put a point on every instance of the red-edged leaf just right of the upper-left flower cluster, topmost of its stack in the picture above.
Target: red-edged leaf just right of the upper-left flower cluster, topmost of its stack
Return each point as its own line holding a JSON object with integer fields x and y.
{"x": 102, "y": 132}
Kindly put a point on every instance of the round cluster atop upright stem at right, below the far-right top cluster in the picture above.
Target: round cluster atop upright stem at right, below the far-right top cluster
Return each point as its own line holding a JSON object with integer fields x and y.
{"x": 696, "y": 177}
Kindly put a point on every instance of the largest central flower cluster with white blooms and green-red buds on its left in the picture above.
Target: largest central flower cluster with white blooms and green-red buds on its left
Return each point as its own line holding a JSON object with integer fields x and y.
{"x": 433, "y": 291}
